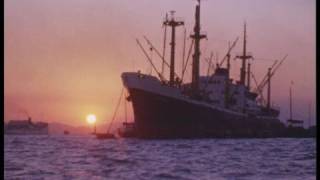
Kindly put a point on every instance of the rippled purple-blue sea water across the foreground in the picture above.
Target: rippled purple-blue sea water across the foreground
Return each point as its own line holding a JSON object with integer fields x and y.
{"x": 84, "y": 157}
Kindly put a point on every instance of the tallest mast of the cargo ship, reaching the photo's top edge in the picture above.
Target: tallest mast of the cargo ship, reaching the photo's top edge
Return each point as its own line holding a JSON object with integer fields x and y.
{"x": 196, "y": 55}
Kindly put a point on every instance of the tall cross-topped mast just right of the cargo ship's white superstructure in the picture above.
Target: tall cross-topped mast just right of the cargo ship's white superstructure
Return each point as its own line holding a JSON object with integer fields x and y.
{"x": 244, "y": 57}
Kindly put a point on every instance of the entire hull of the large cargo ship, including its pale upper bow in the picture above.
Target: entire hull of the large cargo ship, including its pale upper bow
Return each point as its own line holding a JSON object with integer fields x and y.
{"x": 161, "y": 111}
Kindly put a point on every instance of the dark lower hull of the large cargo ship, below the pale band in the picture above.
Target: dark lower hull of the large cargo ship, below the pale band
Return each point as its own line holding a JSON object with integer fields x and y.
{"x": 159, "y": 116}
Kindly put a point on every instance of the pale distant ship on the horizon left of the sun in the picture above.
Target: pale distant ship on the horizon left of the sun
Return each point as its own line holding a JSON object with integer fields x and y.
{"x": 26, "y": 127}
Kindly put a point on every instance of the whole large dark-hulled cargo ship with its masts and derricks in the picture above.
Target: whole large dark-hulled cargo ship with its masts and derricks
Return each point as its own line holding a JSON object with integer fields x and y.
{"x": 213, "y": 105}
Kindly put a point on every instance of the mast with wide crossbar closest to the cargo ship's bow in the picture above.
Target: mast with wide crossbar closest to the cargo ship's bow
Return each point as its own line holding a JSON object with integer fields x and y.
{"x": 173, "y": 25}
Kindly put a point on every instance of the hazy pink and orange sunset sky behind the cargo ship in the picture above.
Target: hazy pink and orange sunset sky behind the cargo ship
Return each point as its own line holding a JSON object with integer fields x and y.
{"x": 63, "y": 59}
